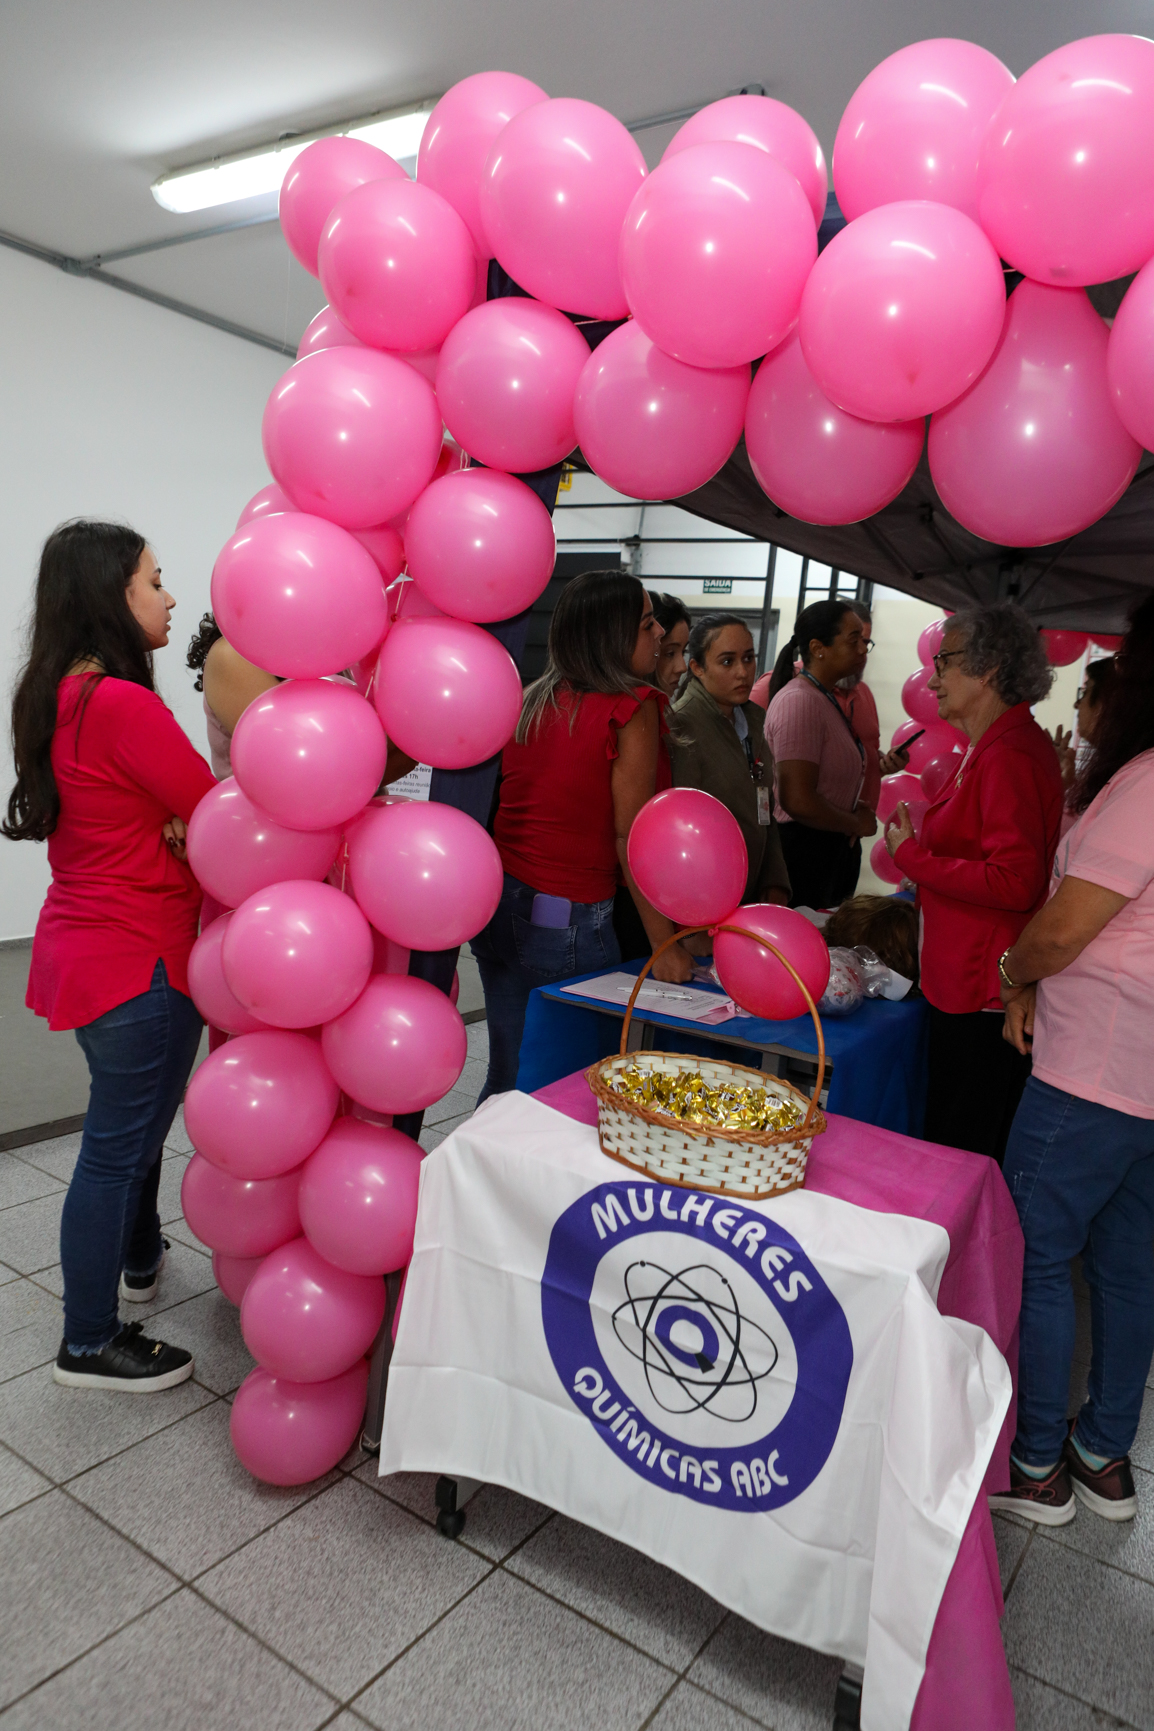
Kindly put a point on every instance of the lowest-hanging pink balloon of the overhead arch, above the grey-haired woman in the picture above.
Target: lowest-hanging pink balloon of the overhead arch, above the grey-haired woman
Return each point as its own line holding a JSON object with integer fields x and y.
{"x": 1035, "y": 453}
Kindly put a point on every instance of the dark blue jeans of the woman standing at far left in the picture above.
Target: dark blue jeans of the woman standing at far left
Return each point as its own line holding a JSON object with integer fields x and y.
{"x": 139, "y": 1057}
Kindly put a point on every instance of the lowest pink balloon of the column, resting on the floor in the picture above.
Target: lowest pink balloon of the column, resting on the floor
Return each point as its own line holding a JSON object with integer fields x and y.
{"x": 292, "y": 1434}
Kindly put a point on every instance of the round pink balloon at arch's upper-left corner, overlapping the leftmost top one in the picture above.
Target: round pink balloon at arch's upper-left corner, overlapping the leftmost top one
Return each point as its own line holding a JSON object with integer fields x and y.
{"x": 397, "y": 264}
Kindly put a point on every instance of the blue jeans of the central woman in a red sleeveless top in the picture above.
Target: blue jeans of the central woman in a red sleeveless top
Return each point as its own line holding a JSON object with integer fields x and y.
{"x": 515, "y": 958}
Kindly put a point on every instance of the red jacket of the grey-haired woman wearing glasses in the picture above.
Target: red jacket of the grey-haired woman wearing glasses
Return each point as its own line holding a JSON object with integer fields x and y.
{"x": 984, "y": 863}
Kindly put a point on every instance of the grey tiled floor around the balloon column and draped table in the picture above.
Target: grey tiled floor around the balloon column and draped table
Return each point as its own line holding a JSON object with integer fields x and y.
{"x": 150, "y": 1583}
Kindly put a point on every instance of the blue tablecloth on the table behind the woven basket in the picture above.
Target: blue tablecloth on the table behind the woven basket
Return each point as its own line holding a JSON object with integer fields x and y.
{"x": 878, "y": 1053}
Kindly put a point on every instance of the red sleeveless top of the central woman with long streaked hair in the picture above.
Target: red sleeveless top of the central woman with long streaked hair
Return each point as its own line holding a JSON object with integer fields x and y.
{"x": 555, "y": 827}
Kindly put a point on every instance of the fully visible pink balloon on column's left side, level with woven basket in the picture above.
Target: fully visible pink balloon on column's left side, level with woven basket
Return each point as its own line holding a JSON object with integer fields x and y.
{"x": 259, "y": 1105}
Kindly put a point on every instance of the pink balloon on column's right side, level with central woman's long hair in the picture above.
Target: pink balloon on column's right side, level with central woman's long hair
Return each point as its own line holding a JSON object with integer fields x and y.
{"x": 447, "y": 693}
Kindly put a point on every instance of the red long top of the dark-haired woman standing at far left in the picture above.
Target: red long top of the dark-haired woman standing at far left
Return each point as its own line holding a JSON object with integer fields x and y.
{"x": 119, "y": 901}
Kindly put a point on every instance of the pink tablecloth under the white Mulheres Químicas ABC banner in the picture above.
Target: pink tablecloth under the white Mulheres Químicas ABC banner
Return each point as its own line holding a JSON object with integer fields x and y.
{"x": 966, "y": 1682}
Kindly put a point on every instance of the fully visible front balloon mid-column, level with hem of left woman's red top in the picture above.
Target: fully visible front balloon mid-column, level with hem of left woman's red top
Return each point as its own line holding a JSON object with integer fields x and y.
{"x": 298, "y": 955}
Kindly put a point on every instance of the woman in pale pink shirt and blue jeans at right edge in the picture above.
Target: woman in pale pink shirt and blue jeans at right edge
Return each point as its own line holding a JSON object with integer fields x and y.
{"x": 1079, "y": 988}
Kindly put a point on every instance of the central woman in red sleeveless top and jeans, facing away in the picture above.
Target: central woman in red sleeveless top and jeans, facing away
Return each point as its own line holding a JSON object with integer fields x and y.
{"x": 584, "y": 761}
